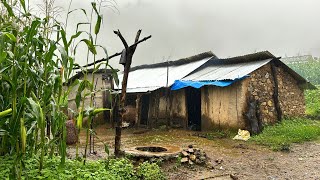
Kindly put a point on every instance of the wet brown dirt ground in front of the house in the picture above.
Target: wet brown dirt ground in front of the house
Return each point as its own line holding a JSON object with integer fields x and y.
{"x": 243, "y": 160}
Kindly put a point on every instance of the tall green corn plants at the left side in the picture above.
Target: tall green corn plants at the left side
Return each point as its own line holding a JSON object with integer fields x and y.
{"x": 36, "y": 58}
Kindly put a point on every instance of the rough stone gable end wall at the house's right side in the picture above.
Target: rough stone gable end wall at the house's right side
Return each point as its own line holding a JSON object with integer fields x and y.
{"x": 261, "y": 88}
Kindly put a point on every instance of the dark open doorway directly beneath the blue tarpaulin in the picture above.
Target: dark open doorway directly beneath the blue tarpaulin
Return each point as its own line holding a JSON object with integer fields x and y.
{"x": 193, "y": 96}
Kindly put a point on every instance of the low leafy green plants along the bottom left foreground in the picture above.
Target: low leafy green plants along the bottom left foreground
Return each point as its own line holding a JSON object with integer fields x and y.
{"x": 106, "y": 169}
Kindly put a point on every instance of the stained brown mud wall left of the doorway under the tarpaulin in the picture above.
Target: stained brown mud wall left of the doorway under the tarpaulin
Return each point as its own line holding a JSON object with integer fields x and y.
{"x": 176, "y": 107}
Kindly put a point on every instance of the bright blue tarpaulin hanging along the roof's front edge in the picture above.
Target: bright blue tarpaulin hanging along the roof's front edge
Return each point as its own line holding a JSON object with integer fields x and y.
{"x": 179, "y": 84}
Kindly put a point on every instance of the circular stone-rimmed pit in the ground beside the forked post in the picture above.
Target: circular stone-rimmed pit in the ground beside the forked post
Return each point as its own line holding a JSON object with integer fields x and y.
{"x": 153, "y": 151}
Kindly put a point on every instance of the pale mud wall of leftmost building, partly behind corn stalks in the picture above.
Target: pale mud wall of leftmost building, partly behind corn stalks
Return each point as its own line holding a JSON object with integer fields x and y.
{"x": 99, "y": 97}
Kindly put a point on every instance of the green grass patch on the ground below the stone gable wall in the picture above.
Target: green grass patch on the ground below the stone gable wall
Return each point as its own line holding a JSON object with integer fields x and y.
{"x": 283, "y": 134}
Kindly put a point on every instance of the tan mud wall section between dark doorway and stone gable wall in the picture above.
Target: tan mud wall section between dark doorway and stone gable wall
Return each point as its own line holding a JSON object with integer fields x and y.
{"x": 223, "y": 107}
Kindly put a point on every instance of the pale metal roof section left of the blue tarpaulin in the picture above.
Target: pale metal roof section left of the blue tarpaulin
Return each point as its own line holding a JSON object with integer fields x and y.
{"x": 146, "y": 79}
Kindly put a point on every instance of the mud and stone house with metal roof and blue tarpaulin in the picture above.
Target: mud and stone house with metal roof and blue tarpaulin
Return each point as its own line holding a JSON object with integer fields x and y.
{"x": 206, "y": 92}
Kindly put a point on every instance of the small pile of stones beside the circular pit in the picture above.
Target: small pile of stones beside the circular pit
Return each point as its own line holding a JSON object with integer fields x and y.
{"x": 193, "y": 155}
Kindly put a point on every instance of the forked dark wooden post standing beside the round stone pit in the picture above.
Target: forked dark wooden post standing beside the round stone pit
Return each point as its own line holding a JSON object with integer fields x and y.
{"x": 129, "y": 51}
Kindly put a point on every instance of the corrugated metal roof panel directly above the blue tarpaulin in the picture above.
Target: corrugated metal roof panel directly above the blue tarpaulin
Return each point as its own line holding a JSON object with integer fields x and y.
{"x": 214, "y": 72}
